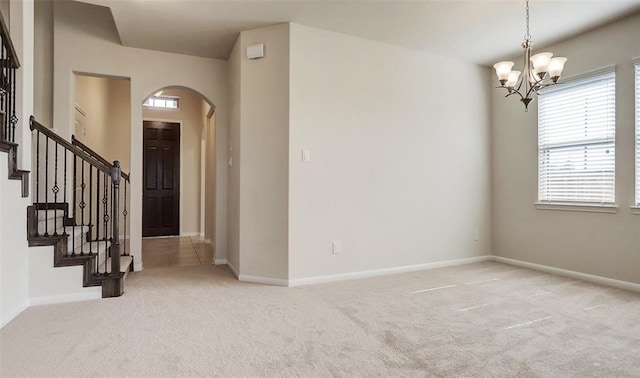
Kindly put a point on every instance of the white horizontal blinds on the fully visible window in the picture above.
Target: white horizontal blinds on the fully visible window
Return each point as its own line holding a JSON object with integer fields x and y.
{"x": 576, "y": 141}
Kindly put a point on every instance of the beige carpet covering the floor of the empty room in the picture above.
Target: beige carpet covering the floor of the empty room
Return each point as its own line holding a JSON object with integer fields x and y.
{"x": 475, "y": 320}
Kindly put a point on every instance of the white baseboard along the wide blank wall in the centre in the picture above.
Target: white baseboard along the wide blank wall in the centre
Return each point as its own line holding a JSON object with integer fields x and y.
{"x": 385, "y": 271}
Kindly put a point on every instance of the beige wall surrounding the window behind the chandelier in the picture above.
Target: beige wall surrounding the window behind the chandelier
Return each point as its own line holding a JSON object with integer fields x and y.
{"x": 606, "y": 245}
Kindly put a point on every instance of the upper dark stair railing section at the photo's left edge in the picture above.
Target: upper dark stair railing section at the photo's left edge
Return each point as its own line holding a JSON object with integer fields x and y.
{"x": 8, "y": 65}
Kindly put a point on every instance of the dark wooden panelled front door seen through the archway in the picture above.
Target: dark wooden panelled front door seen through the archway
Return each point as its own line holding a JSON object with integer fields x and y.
{"x": 161, "y": 172}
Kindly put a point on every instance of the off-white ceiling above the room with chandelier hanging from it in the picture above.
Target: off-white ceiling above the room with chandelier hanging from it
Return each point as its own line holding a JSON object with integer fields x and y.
{"x": 478, "y": 31}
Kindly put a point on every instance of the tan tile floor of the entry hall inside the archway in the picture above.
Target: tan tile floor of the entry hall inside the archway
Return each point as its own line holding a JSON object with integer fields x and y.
{"x": 175, "y": 251}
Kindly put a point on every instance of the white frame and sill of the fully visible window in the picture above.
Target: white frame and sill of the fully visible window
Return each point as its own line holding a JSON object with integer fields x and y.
{"x": 556, "y": 204}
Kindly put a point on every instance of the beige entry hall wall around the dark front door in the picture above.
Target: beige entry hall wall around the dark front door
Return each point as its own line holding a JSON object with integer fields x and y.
{"x": 190, "y": 117}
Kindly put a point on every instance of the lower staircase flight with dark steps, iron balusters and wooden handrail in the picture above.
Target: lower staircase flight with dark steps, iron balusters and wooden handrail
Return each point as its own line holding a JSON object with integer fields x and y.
{"x": 76, "y": 209}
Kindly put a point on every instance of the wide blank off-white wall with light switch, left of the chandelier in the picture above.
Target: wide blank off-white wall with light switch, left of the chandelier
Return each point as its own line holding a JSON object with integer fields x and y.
{"x": 400, "y": 158}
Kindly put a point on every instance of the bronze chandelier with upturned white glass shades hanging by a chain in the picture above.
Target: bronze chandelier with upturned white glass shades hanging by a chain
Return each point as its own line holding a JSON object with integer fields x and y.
{"x": 539, "y": 71}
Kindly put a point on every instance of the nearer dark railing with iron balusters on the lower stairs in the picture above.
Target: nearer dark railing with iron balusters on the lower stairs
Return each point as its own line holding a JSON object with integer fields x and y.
{"x": 87, "y": 192}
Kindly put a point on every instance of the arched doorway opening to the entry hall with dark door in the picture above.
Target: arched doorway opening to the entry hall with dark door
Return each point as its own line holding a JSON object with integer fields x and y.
{"x": 178, "y": 209}
